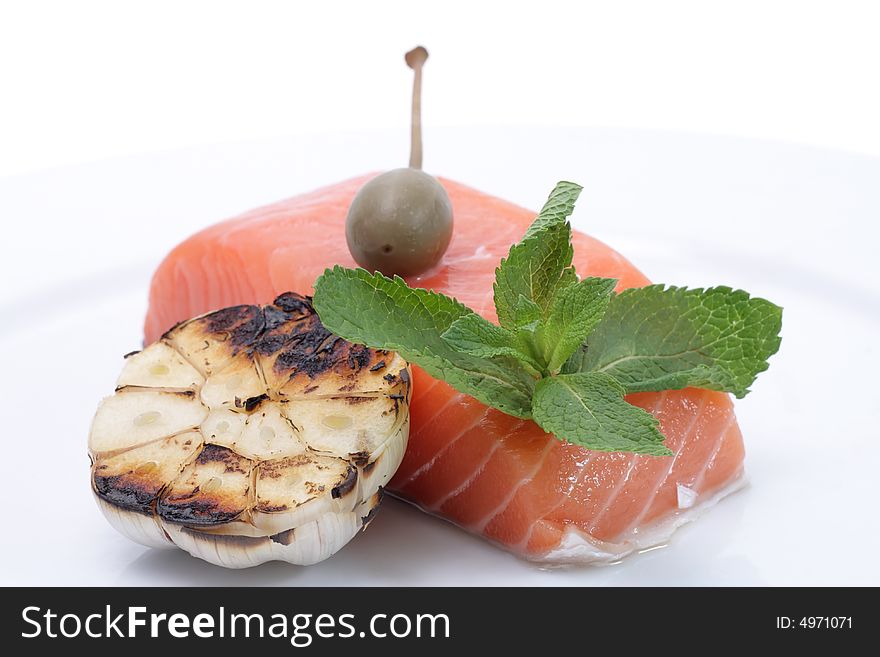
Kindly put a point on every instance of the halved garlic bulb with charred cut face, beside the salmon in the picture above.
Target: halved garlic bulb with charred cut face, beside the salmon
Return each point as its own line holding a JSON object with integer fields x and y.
{"x": 250, "y": 434}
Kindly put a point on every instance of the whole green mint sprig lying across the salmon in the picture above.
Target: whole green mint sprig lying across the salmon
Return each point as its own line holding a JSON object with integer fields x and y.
{"x": 567, "y": 350}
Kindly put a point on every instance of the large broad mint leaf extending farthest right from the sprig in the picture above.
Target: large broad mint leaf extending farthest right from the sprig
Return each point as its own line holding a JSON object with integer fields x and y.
{"x": 667, "y": 338}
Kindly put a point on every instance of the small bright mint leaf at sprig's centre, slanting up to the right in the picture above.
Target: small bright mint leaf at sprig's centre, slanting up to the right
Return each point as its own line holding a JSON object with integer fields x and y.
{"x": 574, "y": 313}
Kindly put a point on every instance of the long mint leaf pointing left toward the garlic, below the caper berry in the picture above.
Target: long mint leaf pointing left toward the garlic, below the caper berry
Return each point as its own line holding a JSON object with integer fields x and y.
{"x": 385, "y": 313}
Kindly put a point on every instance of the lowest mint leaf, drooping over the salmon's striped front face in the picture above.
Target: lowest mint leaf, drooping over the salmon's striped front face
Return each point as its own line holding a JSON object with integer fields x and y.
{"x": 589, "y": 410}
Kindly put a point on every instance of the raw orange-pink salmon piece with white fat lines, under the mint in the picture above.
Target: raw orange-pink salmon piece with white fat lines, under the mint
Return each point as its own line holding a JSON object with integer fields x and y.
{"x": 492, "y": 474}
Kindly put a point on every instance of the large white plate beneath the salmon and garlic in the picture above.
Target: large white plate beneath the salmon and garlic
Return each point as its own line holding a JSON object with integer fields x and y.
{"x": 794, "y": 224}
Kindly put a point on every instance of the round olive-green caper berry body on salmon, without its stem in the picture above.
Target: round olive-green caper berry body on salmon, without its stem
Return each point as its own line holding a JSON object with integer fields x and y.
{"x": 400, "y": 222}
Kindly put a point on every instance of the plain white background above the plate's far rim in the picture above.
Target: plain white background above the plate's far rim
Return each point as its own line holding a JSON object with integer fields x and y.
{"x": 86, "y": 80}
